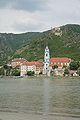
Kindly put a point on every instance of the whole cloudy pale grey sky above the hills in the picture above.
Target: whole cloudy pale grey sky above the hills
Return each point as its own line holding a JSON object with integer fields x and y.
{"x": 19, "y": 16}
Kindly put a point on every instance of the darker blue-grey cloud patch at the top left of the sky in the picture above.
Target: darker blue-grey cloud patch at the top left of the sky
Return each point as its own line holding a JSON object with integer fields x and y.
{"x": 29, "y": 5}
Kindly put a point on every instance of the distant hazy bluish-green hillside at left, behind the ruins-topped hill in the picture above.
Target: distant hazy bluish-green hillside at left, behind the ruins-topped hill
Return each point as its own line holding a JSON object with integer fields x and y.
{"x": 9, "y": 43}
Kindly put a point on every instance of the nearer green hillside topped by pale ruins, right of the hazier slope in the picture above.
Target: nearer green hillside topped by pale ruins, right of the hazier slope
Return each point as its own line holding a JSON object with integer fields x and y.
{"x": 62, "y": 42}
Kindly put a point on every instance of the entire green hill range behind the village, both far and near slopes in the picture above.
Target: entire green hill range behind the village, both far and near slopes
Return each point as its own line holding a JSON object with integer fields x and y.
{"x": 63, "y": 42}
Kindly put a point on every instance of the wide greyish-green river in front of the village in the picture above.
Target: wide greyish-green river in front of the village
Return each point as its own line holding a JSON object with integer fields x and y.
{"x": 50, "y": 98}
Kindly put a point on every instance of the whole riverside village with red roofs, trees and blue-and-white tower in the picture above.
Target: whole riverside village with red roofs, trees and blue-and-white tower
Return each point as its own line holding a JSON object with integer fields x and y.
{"x": 59, "y": 66}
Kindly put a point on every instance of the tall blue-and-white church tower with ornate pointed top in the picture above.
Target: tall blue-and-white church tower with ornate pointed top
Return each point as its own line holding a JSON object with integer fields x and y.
{"x": 46, "y": 61}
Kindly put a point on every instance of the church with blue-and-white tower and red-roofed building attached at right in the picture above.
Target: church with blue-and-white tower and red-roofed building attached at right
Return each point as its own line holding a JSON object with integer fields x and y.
{"x": 49, "y": 63}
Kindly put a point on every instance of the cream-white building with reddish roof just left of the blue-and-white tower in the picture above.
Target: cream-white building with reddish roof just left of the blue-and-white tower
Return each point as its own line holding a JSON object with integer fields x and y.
{"x": 35, "y": 66}
